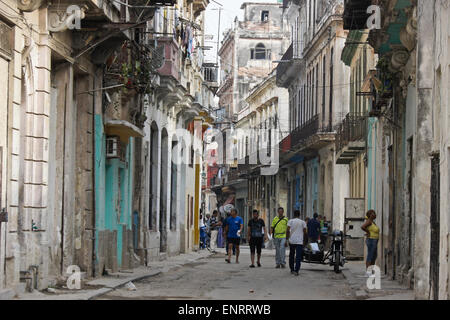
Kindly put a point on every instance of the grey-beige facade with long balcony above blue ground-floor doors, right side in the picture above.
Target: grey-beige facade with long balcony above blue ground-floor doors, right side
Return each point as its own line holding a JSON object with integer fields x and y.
{"x": 315, "y": 76}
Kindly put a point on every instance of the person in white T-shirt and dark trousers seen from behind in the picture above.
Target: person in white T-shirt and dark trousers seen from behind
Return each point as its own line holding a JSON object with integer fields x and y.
{"x": 295, "y": 234}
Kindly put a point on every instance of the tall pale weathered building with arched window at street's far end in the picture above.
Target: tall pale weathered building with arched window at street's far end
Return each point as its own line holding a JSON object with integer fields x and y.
{"x": 249, "y": 53}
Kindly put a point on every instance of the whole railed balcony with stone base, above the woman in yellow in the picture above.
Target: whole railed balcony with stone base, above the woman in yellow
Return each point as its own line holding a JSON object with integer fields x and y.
{"x": 351, "y": 138}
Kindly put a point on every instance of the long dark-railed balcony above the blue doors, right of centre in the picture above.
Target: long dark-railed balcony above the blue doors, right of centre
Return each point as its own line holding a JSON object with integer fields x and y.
{"x": 310, "y": 137}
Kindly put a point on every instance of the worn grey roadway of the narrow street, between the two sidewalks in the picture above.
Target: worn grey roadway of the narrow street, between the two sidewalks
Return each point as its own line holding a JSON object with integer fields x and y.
{"x": 213, "y": 278}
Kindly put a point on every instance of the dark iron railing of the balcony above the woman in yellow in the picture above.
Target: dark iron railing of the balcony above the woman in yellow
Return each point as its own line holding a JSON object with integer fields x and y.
{"x": 352, "y": 128}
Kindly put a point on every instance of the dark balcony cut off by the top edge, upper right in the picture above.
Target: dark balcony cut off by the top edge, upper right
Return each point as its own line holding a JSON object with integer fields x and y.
{"x": 355, "y": 14}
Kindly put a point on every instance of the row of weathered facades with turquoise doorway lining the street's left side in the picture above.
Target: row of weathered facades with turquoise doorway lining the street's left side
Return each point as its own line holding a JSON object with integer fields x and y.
{"x": 91, "y": 104}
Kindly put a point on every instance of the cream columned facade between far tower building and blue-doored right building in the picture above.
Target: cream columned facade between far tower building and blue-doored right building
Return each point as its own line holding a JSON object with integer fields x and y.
{"x": 261, "y": 126}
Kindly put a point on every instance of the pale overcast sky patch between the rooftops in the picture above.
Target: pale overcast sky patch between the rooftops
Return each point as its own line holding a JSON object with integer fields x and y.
{"x": 231, "y": 9}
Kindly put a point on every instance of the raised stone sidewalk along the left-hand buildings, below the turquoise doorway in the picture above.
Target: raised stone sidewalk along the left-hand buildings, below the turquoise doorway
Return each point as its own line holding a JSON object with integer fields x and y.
{"x": 92, "y": 289}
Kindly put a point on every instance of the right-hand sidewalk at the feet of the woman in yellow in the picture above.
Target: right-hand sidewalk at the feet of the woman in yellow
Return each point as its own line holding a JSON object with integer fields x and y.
{"x": 354, "y": 272}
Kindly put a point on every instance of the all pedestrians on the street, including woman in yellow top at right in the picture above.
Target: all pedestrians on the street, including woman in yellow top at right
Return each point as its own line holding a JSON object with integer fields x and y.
{"x": 294, "y": 233}
